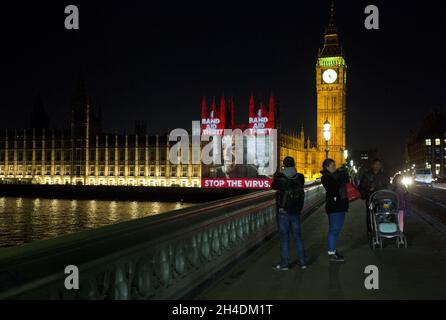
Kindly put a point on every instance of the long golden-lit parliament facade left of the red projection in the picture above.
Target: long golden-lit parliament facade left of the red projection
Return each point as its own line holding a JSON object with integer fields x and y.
{"x": 83, "y": 155}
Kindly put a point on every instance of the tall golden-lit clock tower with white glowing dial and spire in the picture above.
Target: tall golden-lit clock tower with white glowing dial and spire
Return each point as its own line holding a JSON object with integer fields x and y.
{"x": 331, "y": 79}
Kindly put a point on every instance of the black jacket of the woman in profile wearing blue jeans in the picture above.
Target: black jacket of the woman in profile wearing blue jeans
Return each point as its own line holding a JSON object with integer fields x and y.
{"x": 336, "y": 199}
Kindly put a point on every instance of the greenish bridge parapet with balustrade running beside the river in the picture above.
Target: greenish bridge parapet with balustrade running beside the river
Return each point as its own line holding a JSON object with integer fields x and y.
{"x": 162, "y": 257}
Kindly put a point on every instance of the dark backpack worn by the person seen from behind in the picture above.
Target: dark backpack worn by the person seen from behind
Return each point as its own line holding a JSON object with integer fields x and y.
{"x": 292, "y": 197}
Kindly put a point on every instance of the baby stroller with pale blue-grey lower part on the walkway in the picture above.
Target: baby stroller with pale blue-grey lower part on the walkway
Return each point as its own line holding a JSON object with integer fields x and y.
{"x": 383, "y": 206}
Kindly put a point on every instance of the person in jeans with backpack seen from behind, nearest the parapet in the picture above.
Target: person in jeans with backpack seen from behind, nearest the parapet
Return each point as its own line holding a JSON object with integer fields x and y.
{"x": 289, "y": 203}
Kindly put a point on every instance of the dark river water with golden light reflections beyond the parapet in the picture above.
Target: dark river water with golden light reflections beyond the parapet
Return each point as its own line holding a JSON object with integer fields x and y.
{"x": 24, "y": 220}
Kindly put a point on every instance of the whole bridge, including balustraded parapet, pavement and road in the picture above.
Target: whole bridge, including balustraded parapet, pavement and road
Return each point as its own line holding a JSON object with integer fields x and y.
{"x": 224, "y": 249}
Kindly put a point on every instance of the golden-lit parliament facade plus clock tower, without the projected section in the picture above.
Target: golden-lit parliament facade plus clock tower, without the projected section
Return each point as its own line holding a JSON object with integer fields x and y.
{"x": 83, "y": 155}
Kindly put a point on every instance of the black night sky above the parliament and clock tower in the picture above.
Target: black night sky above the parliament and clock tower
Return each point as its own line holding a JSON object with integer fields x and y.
{"x": 153, "y": 61}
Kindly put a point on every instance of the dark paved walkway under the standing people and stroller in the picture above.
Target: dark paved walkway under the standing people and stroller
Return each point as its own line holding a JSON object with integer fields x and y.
{"x": 418, "y": 272}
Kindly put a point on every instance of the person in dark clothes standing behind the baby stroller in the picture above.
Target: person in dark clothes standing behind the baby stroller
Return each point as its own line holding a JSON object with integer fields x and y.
{"x": 373, "y": 180}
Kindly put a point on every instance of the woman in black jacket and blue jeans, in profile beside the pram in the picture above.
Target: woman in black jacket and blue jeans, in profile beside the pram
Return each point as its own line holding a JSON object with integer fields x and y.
{"x": 336, "y": 204}
